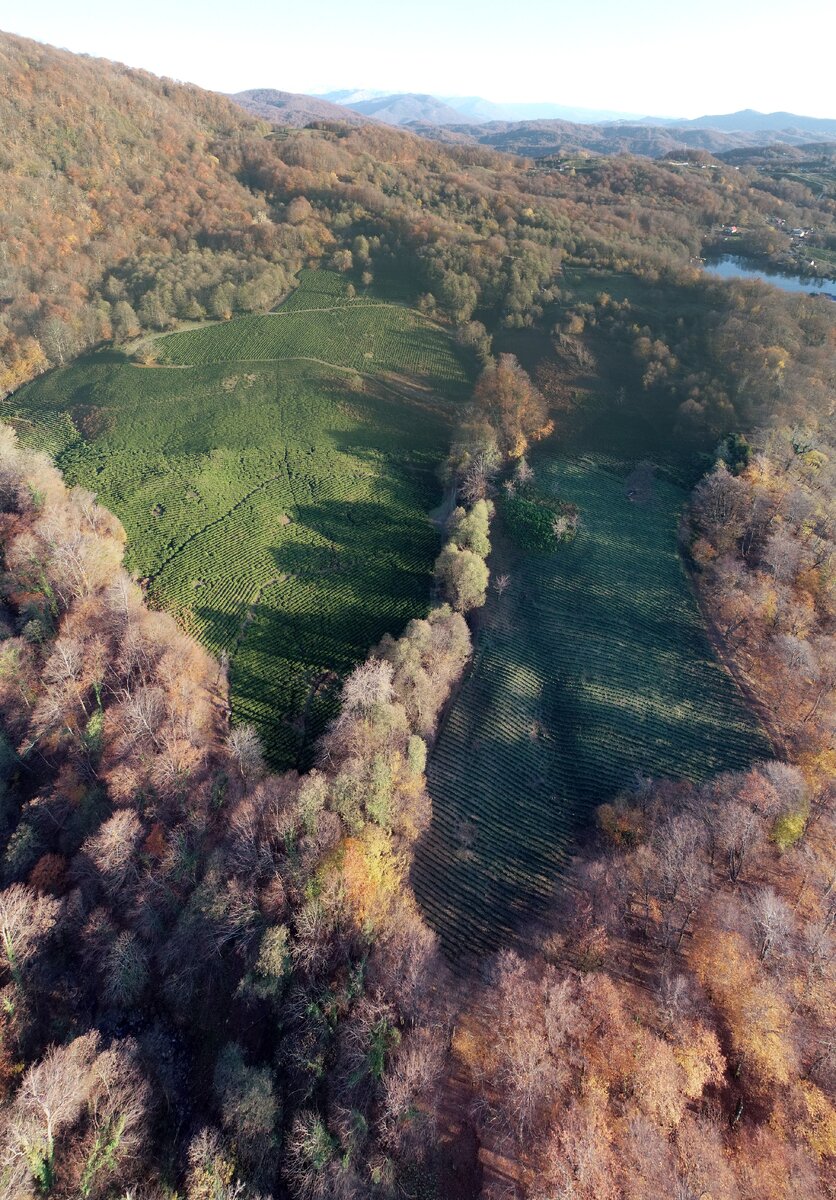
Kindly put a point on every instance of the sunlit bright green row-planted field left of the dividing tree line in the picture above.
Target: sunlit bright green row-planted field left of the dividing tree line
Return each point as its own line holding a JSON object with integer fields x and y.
{"x": 275, "y": 509}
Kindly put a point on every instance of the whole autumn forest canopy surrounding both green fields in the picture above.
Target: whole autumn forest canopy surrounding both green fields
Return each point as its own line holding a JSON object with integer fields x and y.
{"x": 215, "y": 981}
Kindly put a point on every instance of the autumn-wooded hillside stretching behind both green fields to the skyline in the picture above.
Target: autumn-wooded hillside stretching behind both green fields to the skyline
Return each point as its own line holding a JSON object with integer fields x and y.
{"x": 135, "y": 203}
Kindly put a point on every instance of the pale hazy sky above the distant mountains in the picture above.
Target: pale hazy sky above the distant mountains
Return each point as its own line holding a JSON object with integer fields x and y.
{"x": 665, "y": 58}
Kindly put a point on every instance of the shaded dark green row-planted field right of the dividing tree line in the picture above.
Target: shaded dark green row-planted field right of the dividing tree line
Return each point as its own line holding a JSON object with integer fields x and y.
{"x": 593, "y": 669}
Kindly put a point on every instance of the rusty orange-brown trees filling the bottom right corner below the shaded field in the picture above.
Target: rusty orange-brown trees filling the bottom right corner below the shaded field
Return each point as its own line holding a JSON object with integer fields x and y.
{"x": 673, "y": 1031}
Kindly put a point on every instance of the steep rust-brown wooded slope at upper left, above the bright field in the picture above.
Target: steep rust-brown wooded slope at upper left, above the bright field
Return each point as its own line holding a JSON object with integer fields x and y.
{"x": 100, "y": 164}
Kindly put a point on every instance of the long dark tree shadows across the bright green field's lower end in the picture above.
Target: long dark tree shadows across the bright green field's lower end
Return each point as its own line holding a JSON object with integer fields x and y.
{"x": 324, "y": 611}
